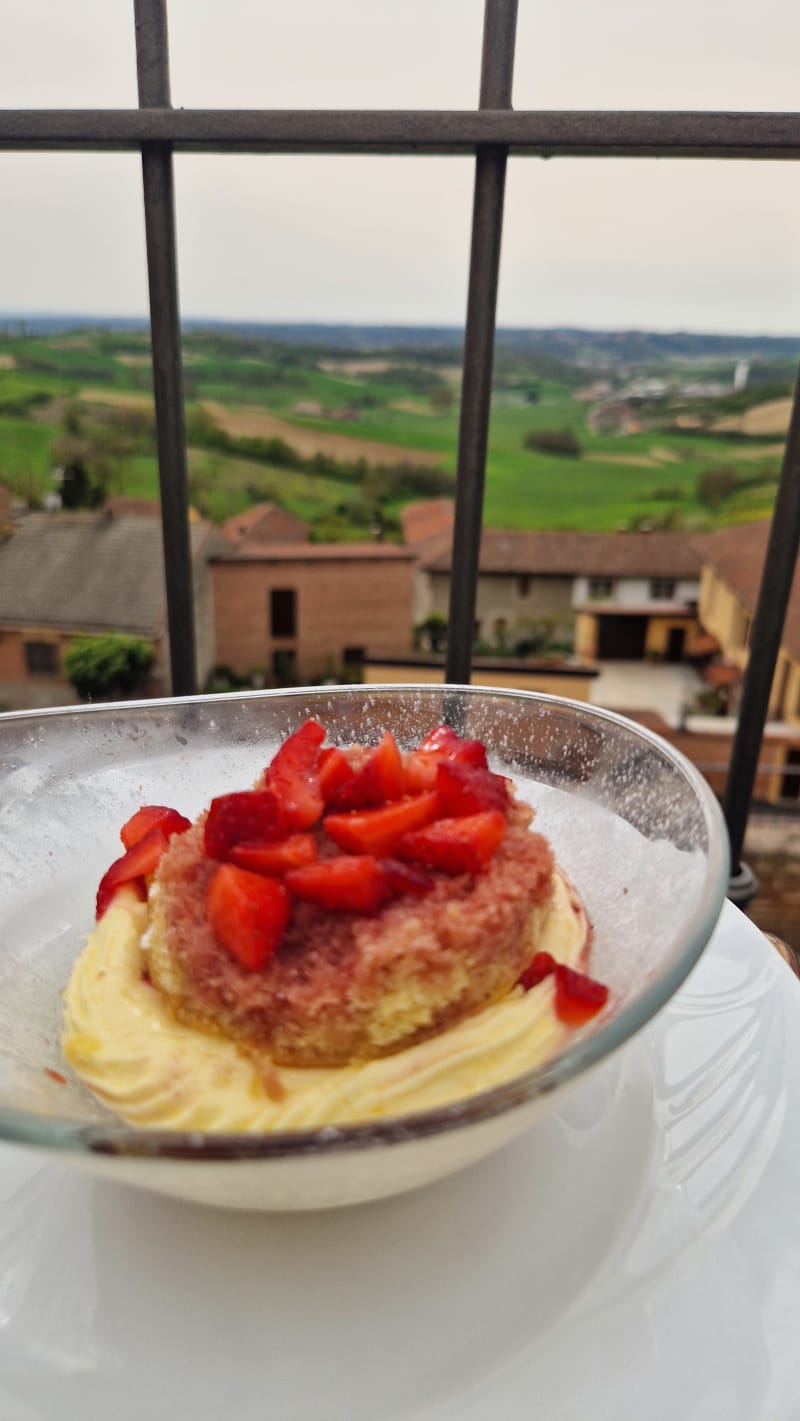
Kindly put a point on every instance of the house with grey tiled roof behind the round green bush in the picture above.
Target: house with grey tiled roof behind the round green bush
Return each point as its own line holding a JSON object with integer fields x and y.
{"x": 69, "y": 575}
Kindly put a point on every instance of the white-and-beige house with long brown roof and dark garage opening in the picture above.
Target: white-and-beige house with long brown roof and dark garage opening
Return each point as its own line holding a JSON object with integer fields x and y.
{"x": 626, "y": 595}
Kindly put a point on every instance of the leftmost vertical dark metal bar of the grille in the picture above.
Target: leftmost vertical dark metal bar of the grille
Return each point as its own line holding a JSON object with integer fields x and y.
{"x": 153, "y": 67}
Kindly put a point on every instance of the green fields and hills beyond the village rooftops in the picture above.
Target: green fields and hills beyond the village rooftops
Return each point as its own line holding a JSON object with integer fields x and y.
{"x": 619, "y": 480}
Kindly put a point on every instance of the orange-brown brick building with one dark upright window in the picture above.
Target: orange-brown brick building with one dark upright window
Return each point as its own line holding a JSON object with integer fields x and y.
{"x": 305, "y": 612}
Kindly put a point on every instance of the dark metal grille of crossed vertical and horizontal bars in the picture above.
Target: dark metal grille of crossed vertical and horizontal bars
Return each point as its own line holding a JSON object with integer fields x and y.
{"x": 490, "y": 133}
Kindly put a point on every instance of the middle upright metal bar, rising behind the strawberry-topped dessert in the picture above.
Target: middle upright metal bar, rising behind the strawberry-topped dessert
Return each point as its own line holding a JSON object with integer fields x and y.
{"x": 497, "y": 76}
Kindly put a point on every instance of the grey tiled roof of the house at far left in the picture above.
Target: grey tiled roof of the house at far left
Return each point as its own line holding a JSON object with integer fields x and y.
{"x": 89, "y": 572}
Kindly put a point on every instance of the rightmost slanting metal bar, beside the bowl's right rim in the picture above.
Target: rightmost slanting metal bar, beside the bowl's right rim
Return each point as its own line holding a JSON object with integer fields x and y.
{"x": 765, "y": 640}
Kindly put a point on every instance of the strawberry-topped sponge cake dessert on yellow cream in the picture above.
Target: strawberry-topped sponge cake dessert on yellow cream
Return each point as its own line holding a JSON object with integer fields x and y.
{"x": 363, "y": 933}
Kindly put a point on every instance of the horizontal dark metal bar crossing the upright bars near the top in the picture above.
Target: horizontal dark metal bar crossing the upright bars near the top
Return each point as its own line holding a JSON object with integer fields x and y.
{"x": 546, "y": 134}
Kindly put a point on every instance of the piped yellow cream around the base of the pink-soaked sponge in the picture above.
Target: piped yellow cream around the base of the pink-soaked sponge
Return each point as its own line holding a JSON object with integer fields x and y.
{"x": 150, "y": 1069}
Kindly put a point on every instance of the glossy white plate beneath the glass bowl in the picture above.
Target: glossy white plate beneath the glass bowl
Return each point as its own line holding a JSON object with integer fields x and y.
{"x": 633, "y": 1258}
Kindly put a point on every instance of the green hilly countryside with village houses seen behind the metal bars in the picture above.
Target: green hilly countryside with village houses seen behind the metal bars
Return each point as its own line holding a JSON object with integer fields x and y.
{"x": 630, "y": 484}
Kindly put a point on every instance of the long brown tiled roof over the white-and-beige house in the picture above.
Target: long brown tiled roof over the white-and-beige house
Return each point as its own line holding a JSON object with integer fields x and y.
{"x": 569, "y": 555}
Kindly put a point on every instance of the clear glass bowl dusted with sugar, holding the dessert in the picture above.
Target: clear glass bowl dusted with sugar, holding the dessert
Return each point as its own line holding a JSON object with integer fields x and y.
{"x": 632, "y": 822}
